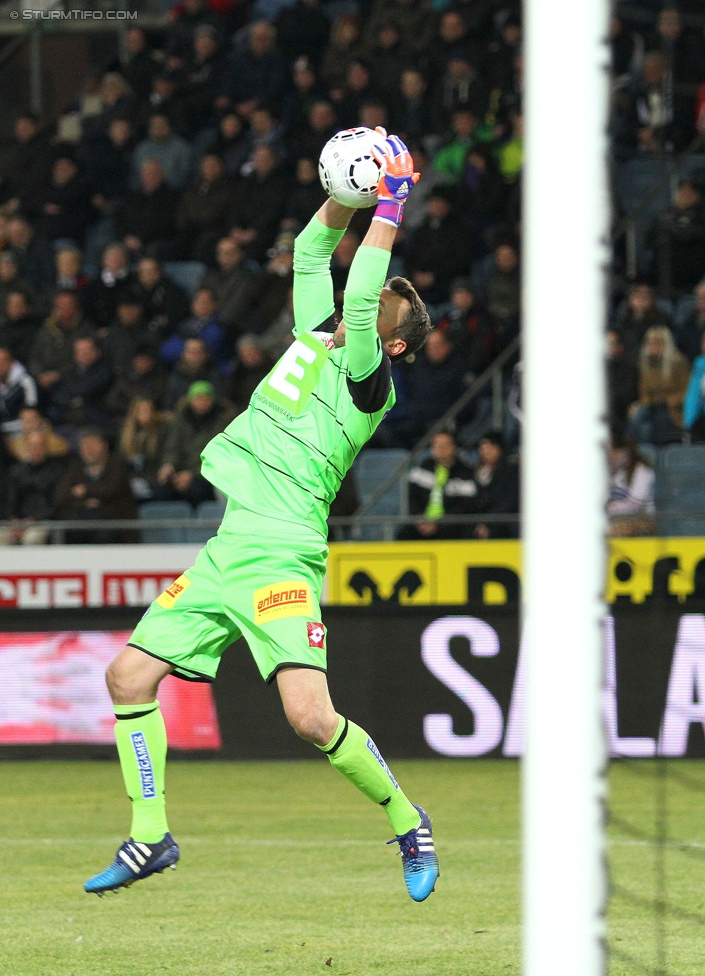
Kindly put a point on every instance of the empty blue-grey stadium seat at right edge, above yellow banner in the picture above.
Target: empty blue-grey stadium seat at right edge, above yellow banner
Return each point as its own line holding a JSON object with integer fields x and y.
{"x": 680, "y": 489}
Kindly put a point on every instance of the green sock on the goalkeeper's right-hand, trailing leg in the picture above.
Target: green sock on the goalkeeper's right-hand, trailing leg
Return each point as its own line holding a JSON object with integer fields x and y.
{"x": 354, "y": 754}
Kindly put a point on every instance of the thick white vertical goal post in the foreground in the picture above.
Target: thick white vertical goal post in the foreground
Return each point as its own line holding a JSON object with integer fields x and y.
{"x": 565, "y": 255}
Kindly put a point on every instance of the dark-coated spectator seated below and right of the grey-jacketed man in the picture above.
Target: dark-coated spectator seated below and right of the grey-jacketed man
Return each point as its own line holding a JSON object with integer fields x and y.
{"x": 202, "y": 214}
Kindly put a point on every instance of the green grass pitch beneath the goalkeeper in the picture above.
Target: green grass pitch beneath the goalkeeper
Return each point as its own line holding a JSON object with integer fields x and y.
{"x": 284, "y": 871}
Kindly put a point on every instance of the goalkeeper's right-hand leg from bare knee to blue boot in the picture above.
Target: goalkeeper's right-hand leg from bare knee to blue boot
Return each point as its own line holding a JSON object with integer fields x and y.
{"x": 308, "y": 707}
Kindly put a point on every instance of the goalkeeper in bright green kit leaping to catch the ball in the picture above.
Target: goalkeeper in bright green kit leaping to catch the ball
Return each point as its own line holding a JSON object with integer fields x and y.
{"x": 280, "y": 465}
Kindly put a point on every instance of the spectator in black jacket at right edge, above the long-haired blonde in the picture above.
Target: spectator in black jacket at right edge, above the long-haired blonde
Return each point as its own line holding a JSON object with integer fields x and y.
{"x": 678, "y": 237}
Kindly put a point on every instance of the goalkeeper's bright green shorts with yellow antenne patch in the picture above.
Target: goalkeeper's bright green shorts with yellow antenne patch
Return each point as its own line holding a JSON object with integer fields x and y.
{"x": 256, "y": 578}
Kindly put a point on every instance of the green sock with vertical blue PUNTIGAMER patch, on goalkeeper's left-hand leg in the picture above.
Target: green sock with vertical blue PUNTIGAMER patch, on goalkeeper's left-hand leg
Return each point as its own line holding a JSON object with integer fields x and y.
{"x": 141, "y": 740}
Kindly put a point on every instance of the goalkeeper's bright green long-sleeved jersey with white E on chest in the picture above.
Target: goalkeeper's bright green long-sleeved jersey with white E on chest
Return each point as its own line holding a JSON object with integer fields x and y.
{"x": 286, "y": 455}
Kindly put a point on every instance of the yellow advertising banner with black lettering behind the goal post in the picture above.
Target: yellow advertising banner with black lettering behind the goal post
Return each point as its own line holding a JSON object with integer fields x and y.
{"x": 489, "y": 573}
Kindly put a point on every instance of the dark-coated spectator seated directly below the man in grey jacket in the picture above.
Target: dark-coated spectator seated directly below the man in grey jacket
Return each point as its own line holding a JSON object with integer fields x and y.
{"x": 145, "y": 221}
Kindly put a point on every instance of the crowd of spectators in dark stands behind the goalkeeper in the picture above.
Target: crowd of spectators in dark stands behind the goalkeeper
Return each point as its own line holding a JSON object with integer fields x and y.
{"x": 146, "y": 239}
